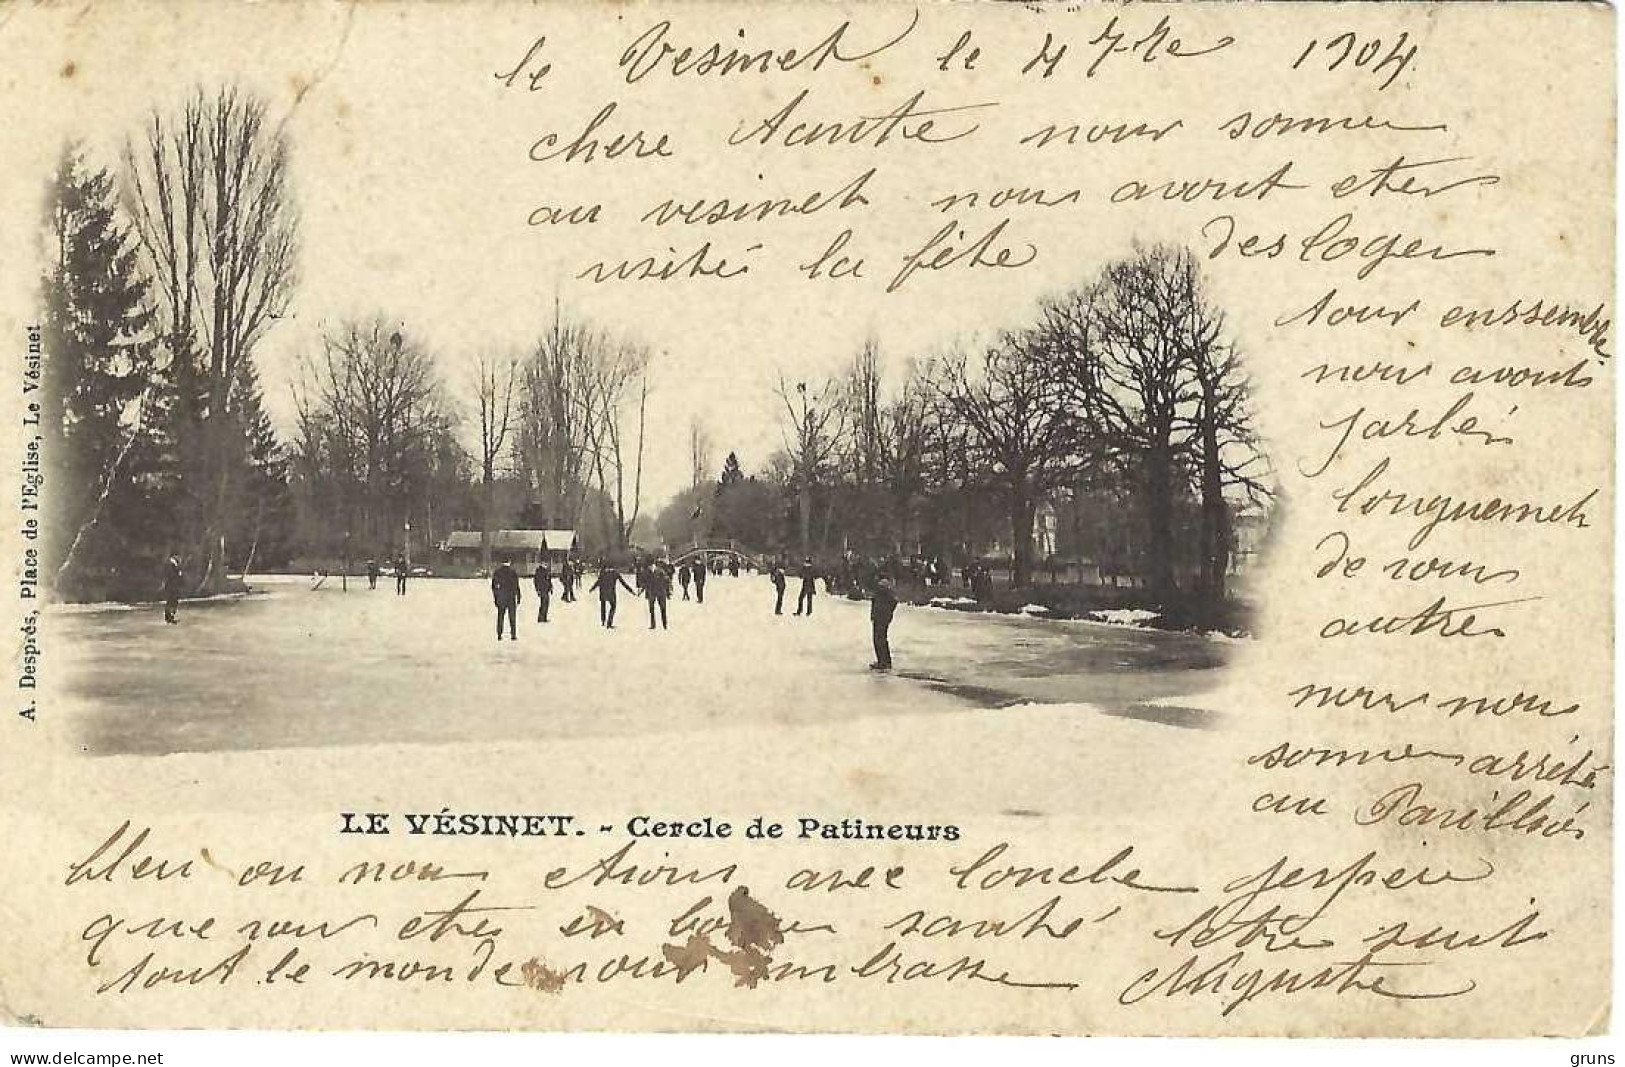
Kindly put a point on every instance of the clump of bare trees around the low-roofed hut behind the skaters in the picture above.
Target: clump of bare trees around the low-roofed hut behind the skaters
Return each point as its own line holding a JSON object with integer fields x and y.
{"x": 555, "y": 439}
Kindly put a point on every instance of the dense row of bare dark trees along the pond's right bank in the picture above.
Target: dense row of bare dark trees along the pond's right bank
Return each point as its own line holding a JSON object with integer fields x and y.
{"x": 1122, "y": 405}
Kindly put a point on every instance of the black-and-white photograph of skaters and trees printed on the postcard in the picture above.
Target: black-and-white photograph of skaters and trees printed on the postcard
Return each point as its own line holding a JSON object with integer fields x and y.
{"x": 1062, "y": 509}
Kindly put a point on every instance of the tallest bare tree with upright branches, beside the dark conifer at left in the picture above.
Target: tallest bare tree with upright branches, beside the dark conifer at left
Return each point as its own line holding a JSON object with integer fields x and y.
{"x": 212, "y": 204}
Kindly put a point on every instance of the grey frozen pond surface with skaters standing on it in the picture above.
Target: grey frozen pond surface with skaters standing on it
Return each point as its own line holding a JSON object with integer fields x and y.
{"x": 295, "y": 668}
